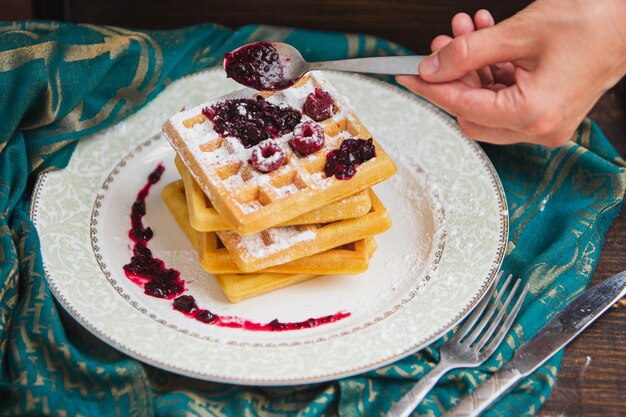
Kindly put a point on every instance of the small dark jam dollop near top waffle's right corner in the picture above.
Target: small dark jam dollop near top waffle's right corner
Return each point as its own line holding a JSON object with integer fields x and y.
{"x": 342, "y": 162}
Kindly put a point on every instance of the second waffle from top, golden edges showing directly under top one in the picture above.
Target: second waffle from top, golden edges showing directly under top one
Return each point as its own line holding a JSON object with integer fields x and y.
{"x": 205, "y": 218}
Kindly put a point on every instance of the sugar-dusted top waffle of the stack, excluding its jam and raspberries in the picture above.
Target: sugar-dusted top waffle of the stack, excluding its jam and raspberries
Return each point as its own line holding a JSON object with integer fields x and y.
{"x": 251, "y": 201}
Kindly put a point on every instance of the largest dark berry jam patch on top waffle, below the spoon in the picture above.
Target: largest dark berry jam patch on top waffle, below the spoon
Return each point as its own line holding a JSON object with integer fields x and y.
{"x": 252, "y": 121}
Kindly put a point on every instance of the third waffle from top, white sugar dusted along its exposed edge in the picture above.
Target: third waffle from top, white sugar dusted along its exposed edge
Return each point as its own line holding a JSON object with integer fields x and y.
{"x": 279, "y": 245}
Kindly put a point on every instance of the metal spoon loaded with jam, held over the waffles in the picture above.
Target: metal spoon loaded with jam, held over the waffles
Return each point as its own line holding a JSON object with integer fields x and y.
{"x": 290, "y": 66}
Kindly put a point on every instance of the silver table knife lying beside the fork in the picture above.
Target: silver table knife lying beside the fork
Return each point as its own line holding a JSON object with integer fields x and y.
{"x": 554, "y": 335}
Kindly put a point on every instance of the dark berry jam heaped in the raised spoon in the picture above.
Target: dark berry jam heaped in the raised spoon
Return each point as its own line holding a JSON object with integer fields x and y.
{"x": 256, "y": 65}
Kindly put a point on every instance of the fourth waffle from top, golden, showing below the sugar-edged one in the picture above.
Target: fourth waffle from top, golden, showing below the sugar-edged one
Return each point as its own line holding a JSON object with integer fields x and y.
{"x": 351, "y": 258}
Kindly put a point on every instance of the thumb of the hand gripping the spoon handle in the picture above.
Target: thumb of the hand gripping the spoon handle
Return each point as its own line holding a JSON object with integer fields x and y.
{"x": 472, "y": 51}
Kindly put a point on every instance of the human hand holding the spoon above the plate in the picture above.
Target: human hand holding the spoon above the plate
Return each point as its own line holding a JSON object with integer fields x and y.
{"x": 530, "y": 78}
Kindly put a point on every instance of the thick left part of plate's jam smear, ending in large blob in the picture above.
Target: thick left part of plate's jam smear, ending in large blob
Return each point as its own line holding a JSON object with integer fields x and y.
{"x": 144, "y": 269}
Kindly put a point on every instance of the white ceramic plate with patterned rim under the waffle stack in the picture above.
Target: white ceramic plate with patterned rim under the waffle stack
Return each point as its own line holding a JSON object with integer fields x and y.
{"x": 449, "y": 233}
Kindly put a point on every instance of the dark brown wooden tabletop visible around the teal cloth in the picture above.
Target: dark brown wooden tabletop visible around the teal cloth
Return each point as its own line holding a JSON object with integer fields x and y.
{"x": 592, "y": 381}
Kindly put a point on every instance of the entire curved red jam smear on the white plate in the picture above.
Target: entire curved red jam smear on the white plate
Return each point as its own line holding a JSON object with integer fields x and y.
{"x": 159, "y": 281}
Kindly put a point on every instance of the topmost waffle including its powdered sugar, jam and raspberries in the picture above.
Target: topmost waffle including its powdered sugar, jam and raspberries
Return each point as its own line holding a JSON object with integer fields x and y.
{"x": 229, "y": 173}
